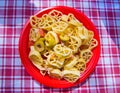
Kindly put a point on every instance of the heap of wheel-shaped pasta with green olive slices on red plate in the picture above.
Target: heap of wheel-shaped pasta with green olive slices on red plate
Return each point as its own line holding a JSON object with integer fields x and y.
{"x": 62, "y": 45}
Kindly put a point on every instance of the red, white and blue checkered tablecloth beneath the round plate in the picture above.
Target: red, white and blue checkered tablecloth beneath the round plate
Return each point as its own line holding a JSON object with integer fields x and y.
{"x": 105, "y": 14}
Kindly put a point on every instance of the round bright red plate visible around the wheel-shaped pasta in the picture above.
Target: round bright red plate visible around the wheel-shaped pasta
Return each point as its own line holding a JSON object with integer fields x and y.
{"x": 34, "y": 72}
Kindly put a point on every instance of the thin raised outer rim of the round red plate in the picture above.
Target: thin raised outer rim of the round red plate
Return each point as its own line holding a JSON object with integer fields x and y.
{"x": 86, "y": 74}
